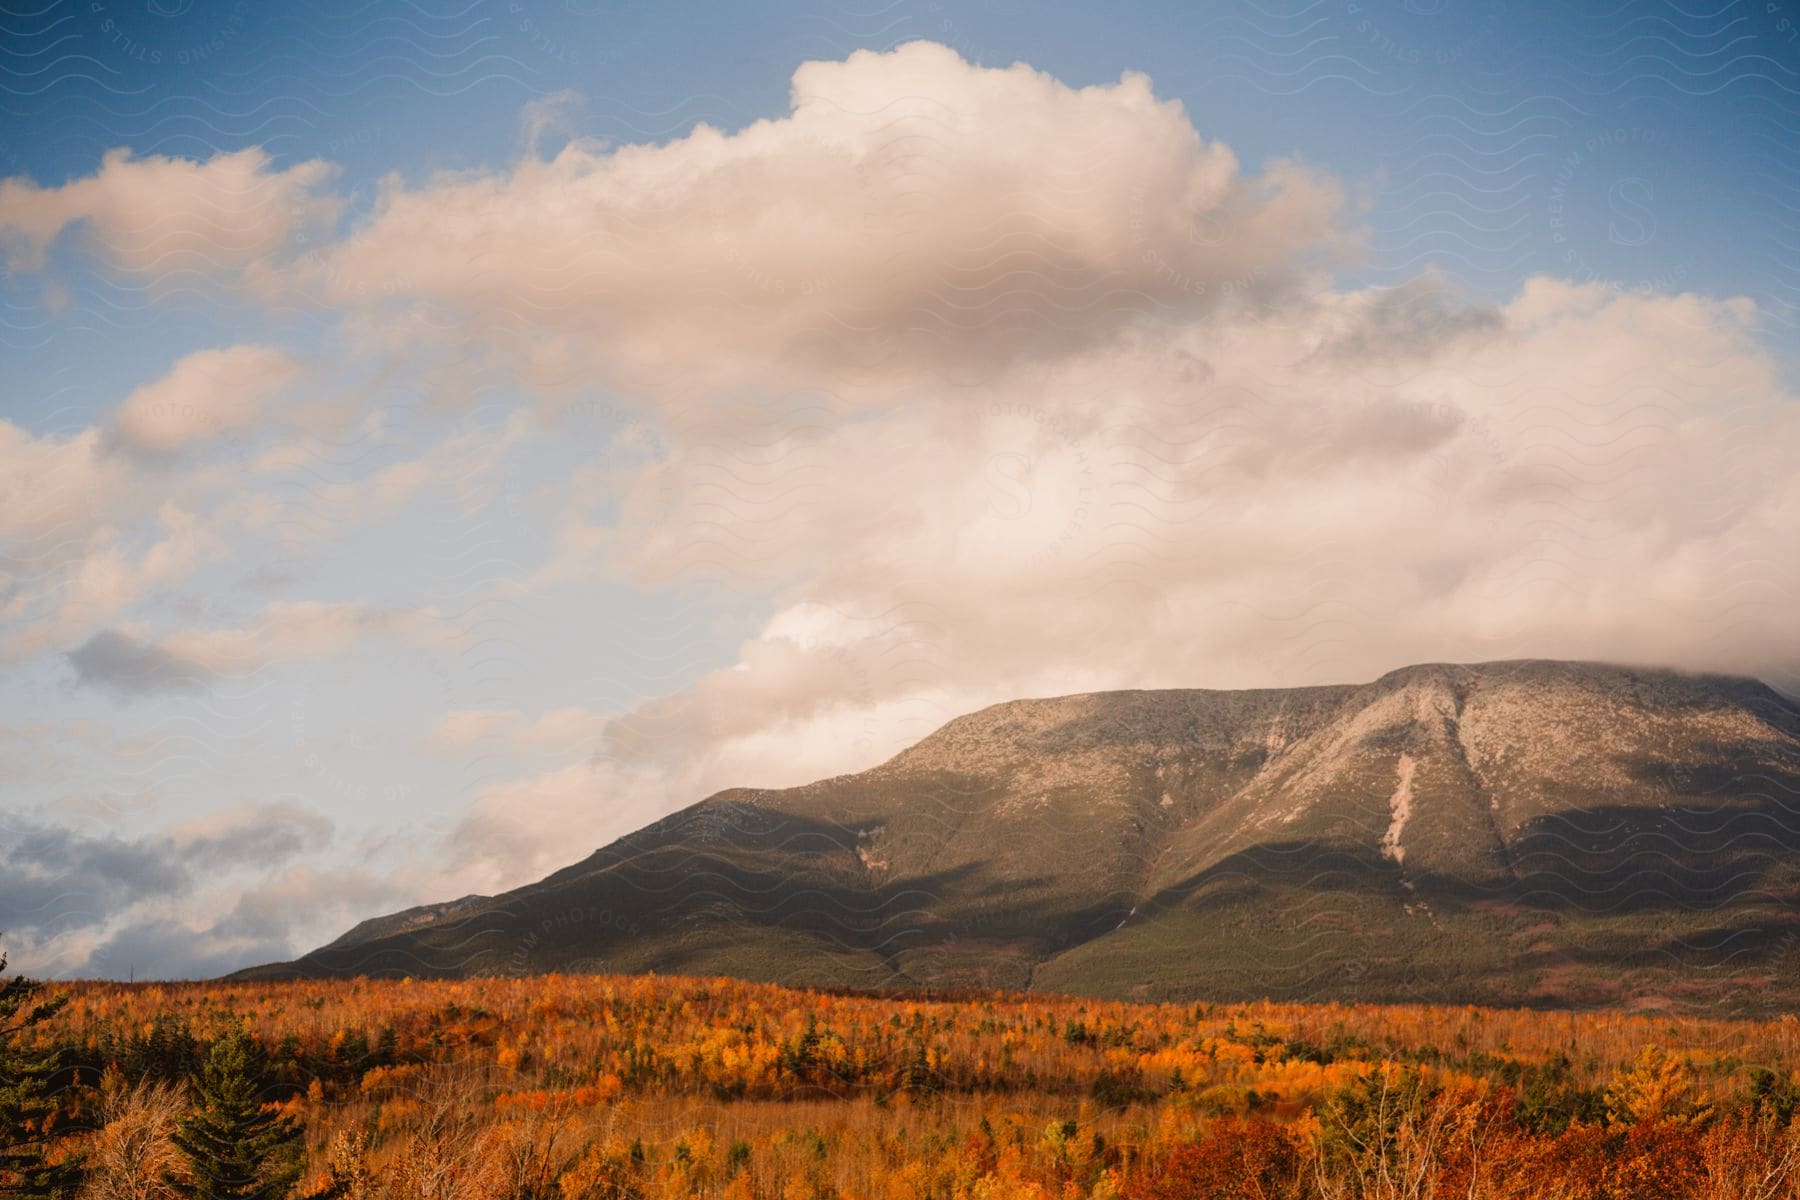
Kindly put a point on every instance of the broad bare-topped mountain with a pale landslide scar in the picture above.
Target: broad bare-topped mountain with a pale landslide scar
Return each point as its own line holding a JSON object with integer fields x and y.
{"x": 1507, "y": 834}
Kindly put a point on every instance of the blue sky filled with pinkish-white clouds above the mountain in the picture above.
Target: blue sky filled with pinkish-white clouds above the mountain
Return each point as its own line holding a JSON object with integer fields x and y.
{"x": 442, "y": 438}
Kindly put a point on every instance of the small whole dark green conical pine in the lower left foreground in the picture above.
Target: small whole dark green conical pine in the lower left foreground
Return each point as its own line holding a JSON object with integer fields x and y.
{"x": 235, "y": 1147}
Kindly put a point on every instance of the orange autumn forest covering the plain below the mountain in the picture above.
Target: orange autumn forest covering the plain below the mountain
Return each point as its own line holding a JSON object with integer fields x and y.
{"x": 660, "y": 1088}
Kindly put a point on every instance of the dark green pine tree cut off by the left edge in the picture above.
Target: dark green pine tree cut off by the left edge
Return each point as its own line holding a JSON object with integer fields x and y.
{"x": 26, "y": 1107}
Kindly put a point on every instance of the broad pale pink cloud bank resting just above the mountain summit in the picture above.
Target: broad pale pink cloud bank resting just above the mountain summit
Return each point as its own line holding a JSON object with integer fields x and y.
{"x": 1252, "y": 503}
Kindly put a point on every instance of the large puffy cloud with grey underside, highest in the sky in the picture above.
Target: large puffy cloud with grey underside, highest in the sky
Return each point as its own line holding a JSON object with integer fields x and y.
{"x": 879, "y": 231}
